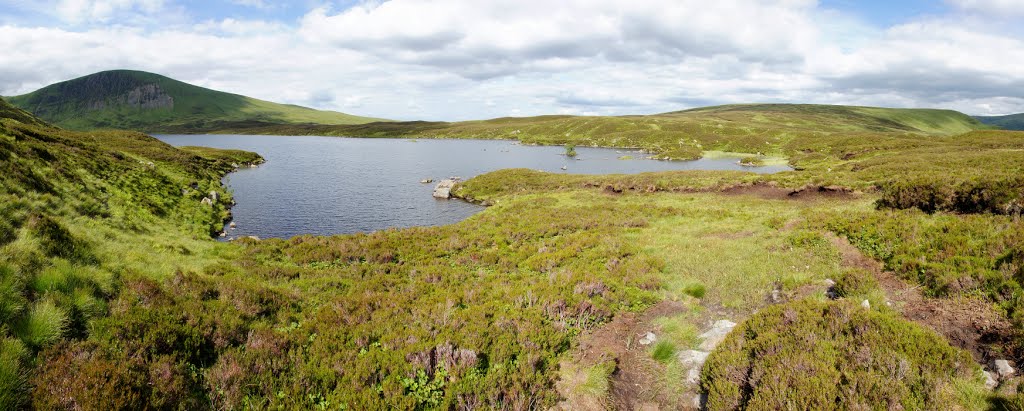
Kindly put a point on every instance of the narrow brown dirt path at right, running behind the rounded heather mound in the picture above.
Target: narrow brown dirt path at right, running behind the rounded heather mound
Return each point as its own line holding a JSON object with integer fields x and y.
{"x": 970, "y": 323}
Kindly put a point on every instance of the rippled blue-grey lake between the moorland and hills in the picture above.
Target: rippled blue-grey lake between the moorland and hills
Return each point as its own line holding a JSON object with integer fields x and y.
{"x": 328, "y": 186}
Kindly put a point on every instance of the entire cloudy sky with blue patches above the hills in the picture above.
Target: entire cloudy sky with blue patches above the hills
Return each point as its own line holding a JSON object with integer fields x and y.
{"x": 463, "y": 60}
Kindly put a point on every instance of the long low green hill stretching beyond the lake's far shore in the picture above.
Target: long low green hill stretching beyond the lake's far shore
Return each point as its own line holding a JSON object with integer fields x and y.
{"x": 748, "y": 129}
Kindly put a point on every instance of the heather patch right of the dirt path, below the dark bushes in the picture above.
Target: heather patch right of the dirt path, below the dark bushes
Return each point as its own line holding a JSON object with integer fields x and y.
{"x": 949, "y": 255}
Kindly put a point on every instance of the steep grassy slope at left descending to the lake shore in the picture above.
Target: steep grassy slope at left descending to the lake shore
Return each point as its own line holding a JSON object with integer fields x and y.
{"x": 81, "y": 217}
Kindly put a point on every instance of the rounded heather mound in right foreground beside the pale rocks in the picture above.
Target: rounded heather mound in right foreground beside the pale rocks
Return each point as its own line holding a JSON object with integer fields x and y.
{"x": 831, "y": 356}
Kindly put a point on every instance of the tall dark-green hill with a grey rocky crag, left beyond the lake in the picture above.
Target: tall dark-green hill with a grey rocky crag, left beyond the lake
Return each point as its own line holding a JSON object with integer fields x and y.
{"x": 140, "y": 101}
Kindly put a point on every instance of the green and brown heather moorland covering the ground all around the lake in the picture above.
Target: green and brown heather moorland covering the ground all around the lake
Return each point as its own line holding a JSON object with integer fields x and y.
{"x": 108, "y": 273}
